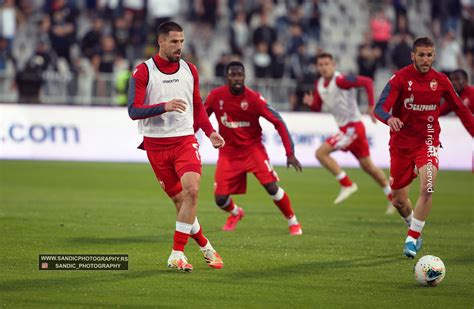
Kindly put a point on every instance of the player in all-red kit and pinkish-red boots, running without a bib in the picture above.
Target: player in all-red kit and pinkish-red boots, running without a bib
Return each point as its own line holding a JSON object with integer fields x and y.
{"x": 238, "y": 109}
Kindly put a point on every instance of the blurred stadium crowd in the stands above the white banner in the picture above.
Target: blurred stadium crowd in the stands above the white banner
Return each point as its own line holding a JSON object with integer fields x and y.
{"x": 91, "y": 46}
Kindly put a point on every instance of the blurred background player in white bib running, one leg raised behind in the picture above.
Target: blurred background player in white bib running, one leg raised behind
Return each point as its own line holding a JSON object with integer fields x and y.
{"x": 335, "y": 93}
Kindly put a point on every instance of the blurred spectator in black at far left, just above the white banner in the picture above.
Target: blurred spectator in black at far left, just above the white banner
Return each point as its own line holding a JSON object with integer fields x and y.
{"x": 29, "y": 81}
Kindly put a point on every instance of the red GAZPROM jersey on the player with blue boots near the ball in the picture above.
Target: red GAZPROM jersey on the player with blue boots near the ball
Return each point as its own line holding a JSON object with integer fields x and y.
{"x": 415, "y": 98}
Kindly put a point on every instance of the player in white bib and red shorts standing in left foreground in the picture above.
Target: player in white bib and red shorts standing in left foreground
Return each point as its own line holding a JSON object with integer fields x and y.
{"x": 164, "y": 97}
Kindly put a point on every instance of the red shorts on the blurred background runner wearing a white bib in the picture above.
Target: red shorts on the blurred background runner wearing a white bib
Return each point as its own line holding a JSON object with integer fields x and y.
{"x": 351, "y": 137}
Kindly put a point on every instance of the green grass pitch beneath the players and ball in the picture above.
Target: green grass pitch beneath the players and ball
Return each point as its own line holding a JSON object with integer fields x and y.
{"x": 349, "y": 256}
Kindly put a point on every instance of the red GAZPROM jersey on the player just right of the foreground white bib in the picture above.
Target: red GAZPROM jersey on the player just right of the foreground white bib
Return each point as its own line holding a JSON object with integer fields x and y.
{"x": 238, "y": 116}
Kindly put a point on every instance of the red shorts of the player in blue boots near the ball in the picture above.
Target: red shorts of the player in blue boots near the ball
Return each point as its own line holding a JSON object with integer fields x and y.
{"x": 403, "y": 162}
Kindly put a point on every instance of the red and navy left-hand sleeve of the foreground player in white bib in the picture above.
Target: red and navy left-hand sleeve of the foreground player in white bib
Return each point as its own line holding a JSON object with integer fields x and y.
{"x": 136, "y": 96}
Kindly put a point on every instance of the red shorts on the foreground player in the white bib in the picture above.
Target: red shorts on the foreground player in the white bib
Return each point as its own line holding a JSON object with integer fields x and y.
{"x": 170, "y": 165}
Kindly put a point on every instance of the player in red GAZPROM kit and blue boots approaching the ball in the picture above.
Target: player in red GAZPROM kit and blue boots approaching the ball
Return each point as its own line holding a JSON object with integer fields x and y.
{"x": 409, "y": 105}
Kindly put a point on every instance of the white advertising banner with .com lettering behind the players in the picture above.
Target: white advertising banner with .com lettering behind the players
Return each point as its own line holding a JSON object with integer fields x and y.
{"x": 75, "y": 133}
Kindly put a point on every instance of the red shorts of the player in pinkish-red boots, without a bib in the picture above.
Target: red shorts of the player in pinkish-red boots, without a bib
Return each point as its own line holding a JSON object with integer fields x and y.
{"x": 231, "y": 171}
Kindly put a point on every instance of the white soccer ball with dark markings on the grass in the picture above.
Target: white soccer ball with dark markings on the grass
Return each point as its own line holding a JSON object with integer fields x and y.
{"x": 429, "y": 270}
